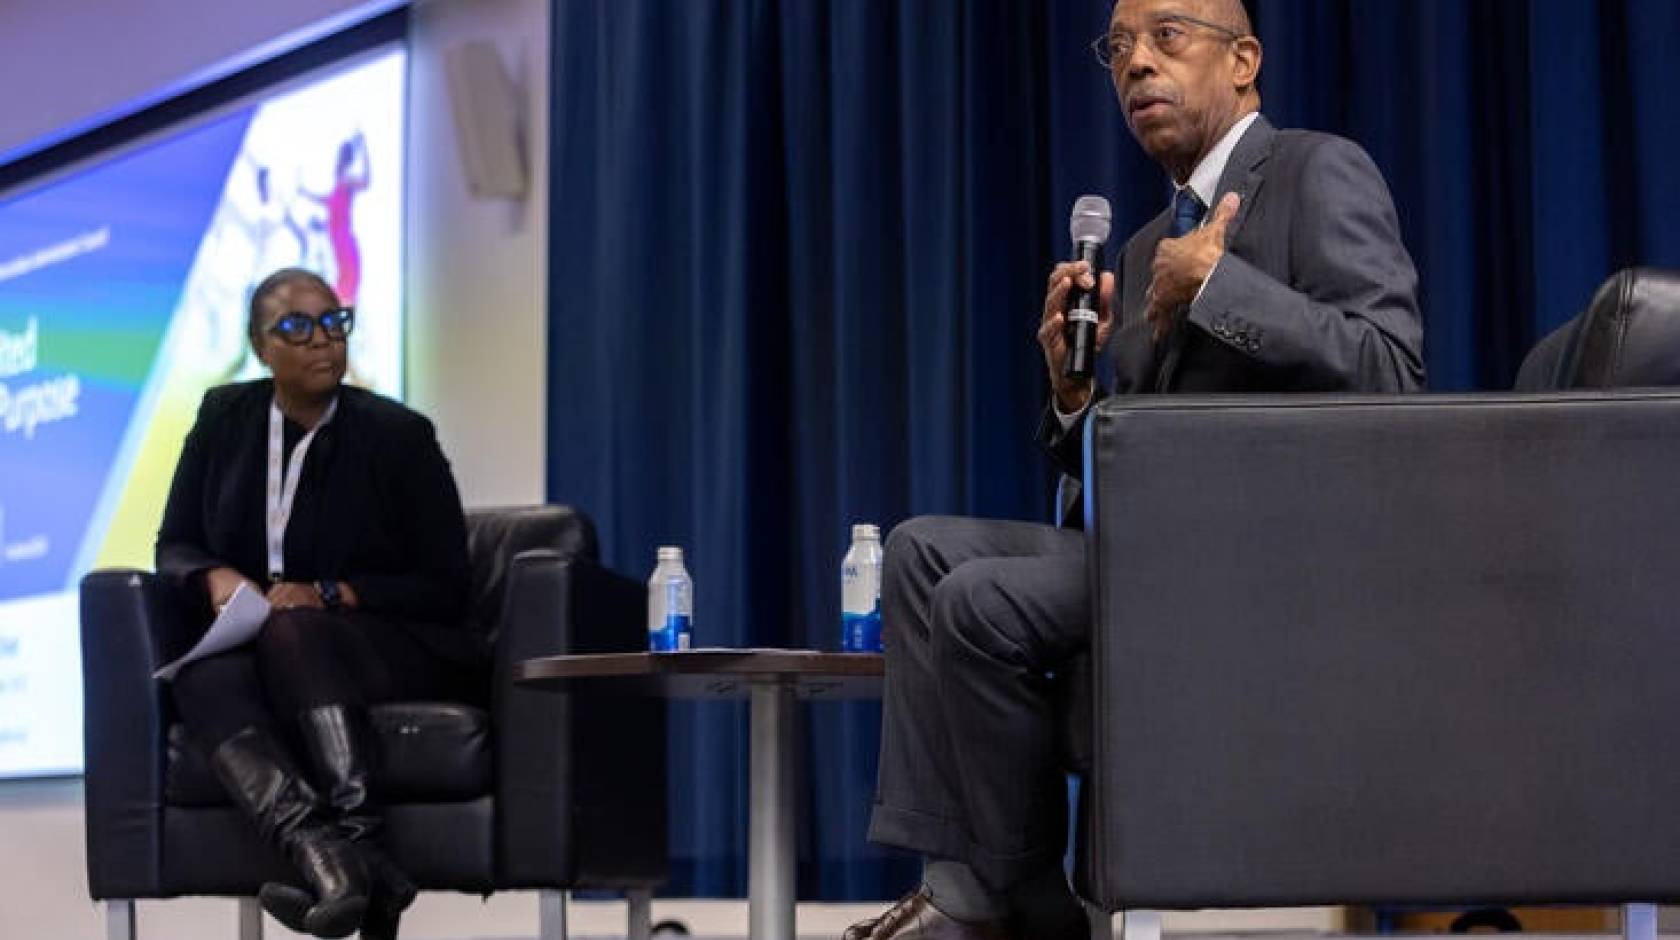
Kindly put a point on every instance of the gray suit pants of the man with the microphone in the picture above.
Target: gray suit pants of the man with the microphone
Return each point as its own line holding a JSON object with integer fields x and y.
{"x": 975, "y": 614}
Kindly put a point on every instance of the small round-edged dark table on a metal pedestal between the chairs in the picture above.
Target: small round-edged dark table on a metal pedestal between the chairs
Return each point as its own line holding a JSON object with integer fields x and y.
{"x": 774, "y": 681}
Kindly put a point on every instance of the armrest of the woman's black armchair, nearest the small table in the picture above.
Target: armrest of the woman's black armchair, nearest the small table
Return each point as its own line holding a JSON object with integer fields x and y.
{"x": 580, "y": 778}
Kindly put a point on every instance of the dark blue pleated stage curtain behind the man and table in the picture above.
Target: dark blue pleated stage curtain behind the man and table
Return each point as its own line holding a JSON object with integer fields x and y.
{"x": 799, "y": 253}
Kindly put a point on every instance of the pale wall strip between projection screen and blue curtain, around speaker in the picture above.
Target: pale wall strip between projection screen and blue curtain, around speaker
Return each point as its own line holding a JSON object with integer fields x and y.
{"x": 476, "y": 288}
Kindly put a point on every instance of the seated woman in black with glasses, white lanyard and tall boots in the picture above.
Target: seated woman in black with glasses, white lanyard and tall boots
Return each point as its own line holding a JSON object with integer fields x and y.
{"x": 340, "y": 508}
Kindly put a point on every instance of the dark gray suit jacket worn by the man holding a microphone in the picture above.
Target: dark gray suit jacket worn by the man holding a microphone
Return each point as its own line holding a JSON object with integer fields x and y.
{"x": 1316, "y": 291}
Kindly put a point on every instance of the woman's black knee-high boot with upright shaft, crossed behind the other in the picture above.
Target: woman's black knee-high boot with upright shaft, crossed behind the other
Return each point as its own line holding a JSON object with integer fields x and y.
{"x": 340, "y": 743}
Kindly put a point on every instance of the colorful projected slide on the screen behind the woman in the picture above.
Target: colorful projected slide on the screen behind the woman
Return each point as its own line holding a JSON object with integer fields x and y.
{"x": 123, "y": 295}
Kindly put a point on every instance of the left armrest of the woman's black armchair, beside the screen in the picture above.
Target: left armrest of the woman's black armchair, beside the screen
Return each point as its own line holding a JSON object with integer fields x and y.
{"x": 132, "y": 624}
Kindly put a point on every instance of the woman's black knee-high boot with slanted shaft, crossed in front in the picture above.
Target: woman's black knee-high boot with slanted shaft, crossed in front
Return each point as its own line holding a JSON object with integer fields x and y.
{"x": 290, "y": 815}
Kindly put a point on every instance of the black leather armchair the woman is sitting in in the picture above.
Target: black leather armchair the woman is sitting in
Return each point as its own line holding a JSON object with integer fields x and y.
{"x": 533, "y": 790}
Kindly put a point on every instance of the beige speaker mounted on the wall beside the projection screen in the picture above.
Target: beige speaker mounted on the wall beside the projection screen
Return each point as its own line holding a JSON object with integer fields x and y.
{"x": 488, "y": 128}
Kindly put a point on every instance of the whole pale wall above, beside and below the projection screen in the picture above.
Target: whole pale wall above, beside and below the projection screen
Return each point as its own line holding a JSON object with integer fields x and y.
{"x": 476, "y": 360}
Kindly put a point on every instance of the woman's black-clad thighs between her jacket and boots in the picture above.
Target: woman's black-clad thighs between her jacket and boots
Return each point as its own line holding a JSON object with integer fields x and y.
{"x": 305, "y": 659}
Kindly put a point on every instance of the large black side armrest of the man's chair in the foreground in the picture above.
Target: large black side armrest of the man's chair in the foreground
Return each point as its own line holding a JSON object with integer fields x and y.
{"x": 1385, "y": 650}
